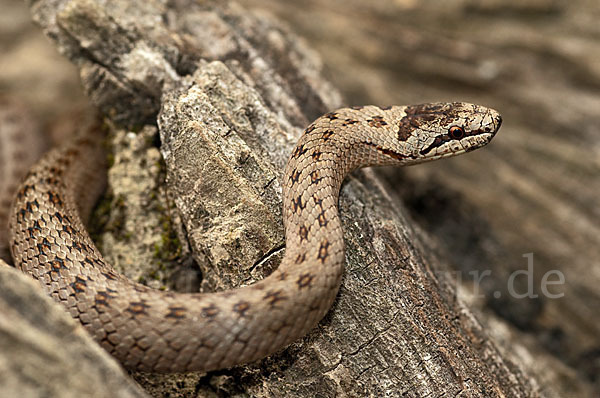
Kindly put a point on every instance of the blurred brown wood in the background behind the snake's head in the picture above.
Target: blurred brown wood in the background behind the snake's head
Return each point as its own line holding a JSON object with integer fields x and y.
{"x": 534, "y": 190}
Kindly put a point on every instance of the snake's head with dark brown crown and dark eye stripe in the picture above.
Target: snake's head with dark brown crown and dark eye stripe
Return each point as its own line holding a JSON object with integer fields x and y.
{"x": 436, "y": 130}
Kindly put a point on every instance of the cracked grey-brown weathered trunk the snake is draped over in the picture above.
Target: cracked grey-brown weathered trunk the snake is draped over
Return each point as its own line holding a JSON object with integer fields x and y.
{"x": 229, "y": 92}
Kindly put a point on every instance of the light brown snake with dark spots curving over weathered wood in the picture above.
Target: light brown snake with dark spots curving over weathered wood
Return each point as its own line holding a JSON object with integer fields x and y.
{"x": 162, "y": 331}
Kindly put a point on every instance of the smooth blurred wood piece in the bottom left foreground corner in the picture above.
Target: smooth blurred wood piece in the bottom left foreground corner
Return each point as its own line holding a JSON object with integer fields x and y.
{"x": 45, "y": 353}
